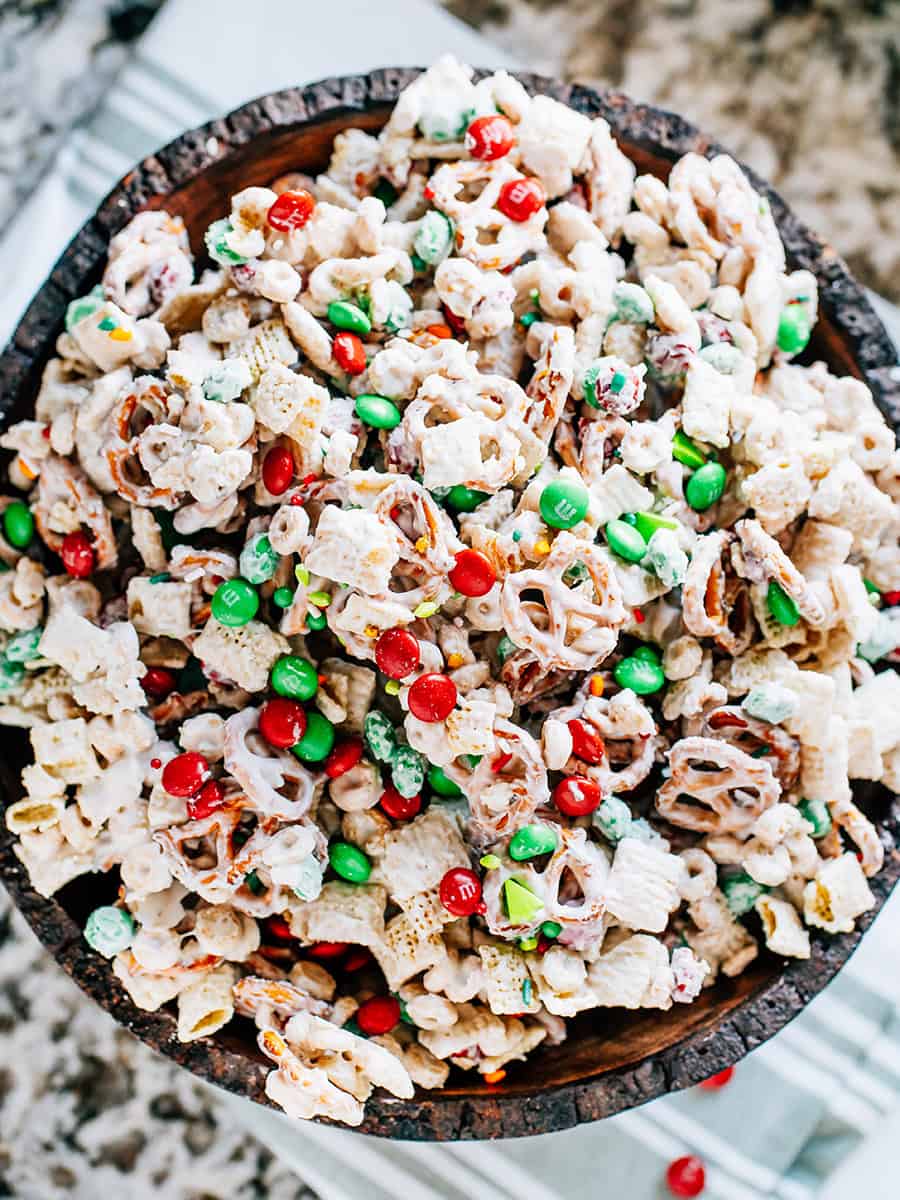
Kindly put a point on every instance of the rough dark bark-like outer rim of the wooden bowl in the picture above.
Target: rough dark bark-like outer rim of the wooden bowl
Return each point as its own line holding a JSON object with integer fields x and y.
{"x": 752, "y": 1015}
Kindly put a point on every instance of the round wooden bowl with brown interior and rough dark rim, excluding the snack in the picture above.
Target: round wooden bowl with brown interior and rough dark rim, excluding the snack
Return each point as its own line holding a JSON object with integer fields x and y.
{"x": 614, "y": 1060}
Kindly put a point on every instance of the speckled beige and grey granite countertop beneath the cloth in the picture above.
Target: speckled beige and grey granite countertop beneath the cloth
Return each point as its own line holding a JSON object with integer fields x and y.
{"x": 807, "y": 92}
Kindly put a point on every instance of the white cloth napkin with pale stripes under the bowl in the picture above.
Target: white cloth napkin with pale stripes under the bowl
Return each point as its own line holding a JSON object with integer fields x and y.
{"x": 800, "y": 1107}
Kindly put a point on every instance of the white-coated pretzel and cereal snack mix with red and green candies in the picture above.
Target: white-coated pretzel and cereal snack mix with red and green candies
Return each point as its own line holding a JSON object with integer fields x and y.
{"x": 453, "y": 610}
